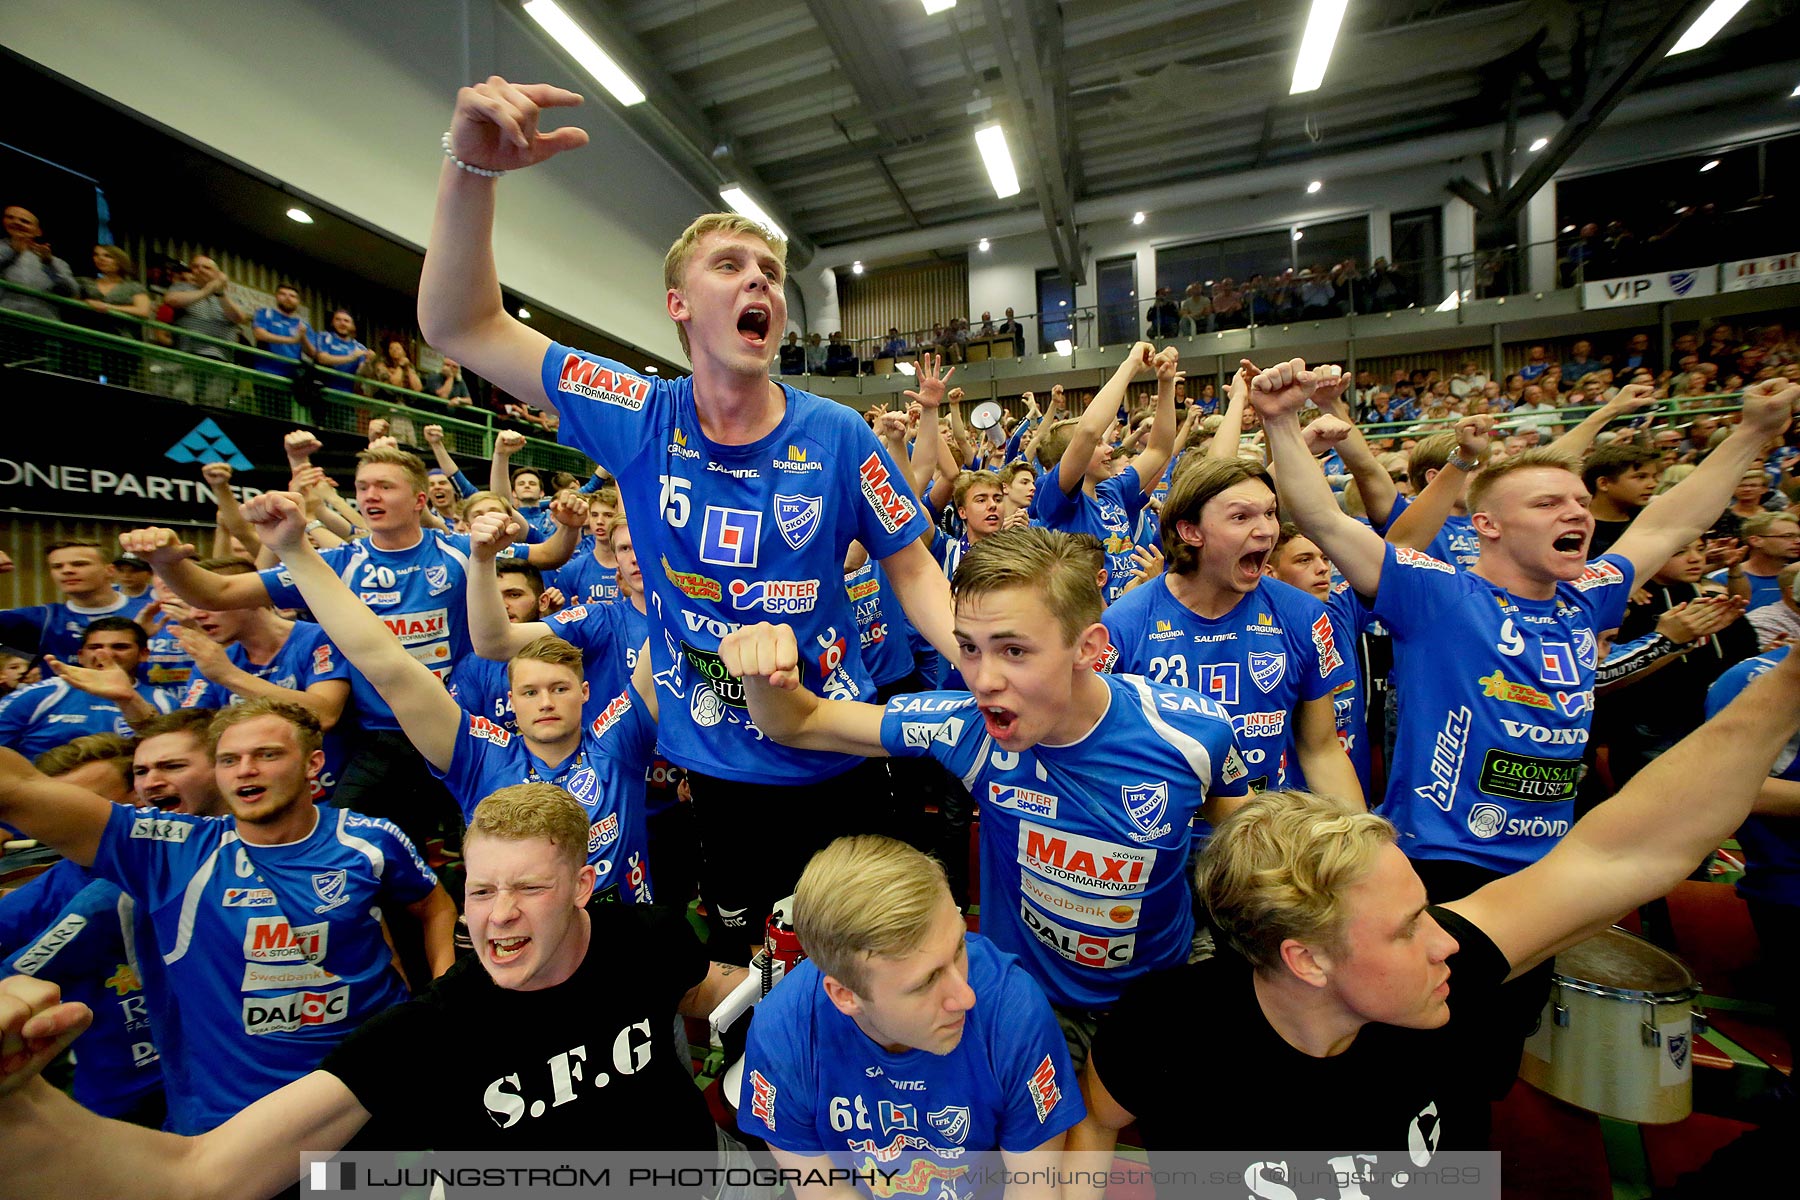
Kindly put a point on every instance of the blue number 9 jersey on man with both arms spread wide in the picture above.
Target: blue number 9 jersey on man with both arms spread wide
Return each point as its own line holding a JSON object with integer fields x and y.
{"x": 1497, "y": 697}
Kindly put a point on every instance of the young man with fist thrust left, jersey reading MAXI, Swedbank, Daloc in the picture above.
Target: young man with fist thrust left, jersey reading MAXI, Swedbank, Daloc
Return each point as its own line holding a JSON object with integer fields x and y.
{"x": 1088, "y": 782}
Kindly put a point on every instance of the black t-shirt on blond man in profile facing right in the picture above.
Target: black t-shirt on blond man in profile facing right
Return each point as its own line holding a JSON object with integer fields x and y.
{"x": 1394, "y": 1093}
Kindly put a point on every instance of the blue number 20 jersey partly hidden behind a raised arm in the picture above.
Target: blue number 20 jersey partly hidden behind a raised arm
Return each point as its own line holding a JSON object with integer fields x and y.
{"x": 418, "y": 593}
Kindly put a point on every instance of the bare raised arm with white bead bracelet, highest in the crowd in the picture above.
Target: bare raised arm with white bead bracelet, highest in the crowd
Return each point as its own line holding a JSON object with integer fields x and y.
{"x": 462, "y": 314}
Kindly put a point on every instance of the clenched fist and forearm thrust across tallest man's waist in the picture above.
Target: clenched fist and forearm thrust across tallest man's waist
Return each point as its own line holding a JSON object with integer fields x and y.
{"x": 768, "y": 659}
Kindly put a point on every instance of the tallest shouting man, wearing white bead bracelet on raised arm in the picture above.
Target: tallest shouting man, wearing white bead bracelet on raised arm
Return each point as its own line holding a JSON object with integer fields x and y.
{"x": 744, "y": 496}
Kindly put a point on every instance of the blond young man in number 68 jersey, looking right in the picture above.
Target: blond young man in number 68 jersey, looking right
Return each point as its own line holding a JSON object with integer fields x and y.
{"x": 903, "y": 1041}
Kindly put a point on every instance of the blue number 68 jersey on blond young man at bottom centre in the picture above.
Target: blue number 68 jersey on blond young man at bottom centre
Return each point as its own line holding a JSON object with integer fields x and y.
{"x": 816, "y": 1084}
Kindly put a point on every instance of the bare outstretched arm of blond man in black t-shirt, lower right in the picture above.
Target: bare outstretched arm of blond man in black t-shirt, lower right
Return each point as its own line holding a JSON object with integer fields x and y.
{"x": 1651, "y": 836}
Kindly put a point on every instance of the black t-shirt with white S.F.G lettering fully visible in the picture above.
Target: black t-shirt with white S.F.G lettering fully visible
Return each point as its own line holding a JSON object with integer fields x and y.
{"x": 584, "y": 1066}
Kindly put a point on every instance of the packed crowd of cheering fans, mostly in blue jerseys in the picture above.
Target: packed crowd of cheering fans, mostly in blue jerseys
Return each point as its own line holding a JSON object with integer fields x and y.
{"x": 1264, "y": 717}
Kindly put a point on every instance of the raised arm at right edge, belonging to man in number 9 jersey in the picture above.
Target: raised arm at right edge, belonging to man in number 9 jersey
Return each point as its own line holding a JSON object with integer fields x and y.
{"x": 1687, "y": 510}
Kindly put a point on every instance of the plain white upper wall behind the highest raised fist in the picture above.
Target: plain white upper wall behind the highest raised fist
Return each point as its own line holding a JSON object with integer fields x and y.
{"x": 346, "y": 102}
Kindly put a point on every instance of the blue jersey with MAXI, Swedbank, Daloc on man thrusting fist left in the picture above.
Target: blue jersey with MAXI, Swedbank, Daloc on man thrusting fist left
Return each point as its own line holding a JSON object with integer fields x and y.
{"x": 1084, "y": 848}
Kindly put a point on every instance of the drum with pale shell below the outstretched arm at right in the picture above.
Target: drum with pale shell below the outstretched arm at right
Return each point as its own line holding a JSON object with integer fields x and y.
{"x": 1617, "y": 1035}
